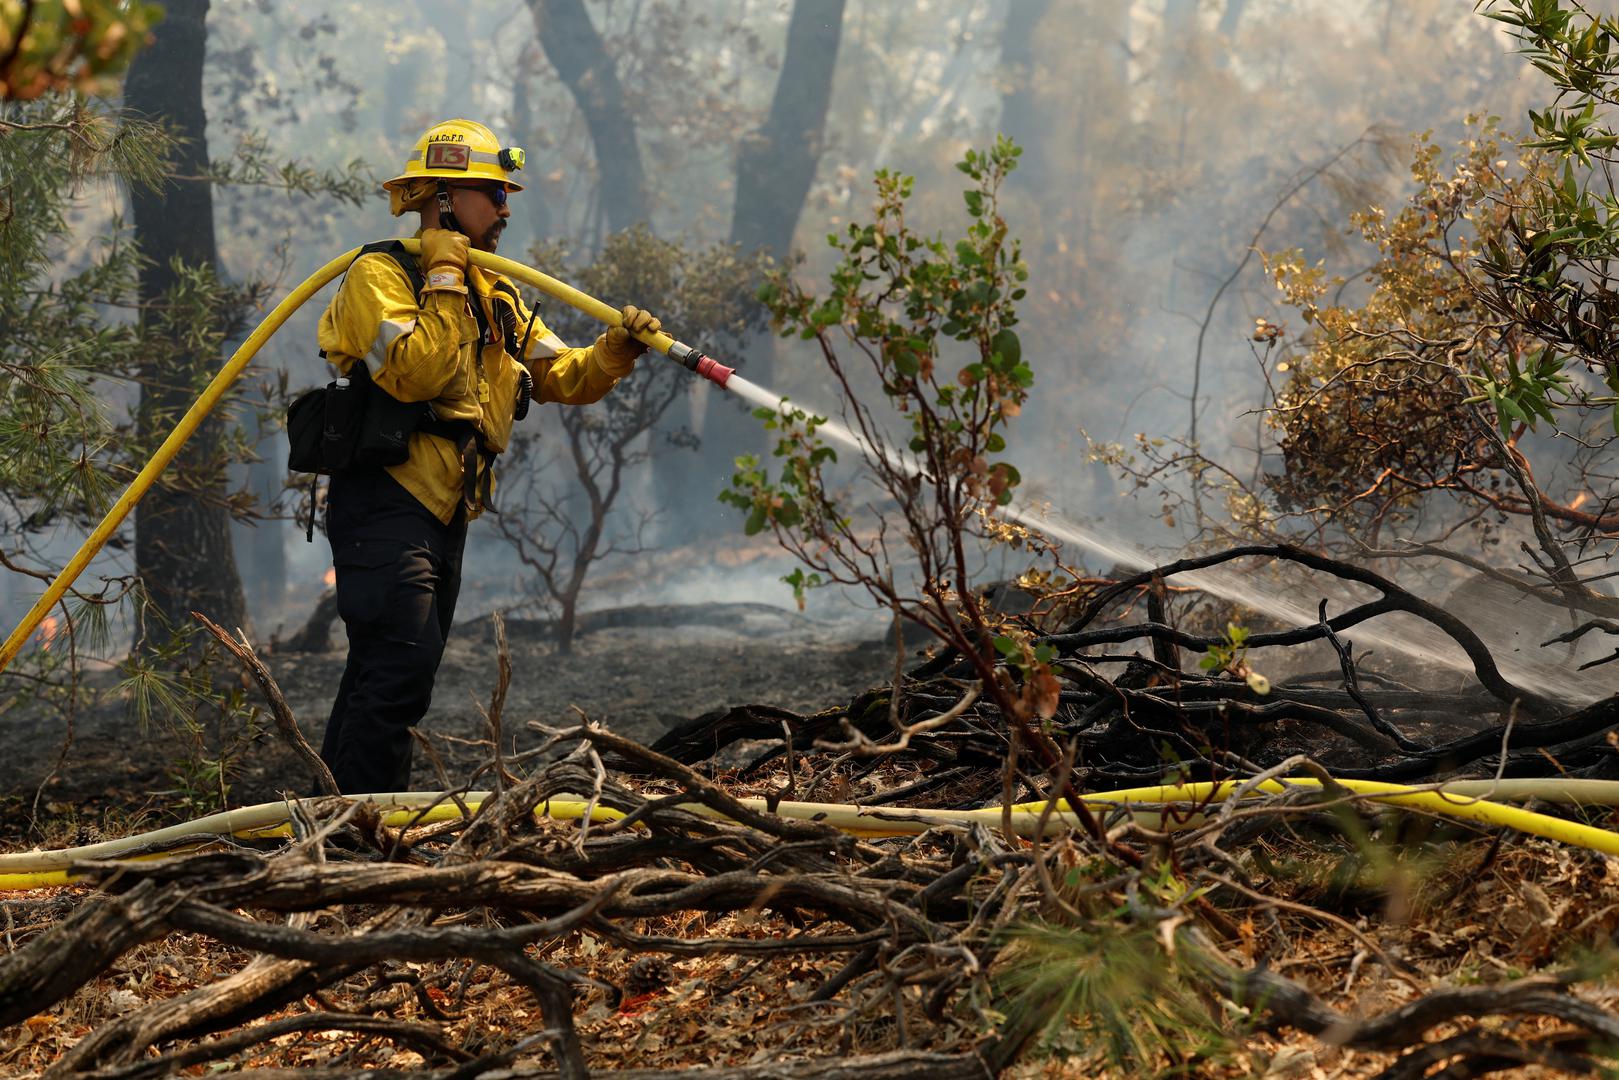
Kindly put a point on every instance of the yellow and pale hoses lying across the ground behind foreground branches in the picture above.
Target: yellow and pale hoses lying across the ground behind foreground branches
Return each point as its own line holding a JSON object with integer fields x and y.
{"x": 1458, "y": 799}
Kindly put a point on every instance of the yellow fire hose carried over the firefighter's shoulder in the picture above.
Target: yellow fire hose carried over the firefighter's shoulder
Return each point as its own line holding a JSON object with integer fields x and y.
{"x": 227, "y": 376}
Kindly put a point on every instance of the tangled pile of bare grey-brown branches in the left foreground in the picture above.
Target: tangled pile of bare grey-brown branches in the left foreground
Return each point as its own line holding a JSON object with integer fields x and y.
{"x": 504, "y": 888}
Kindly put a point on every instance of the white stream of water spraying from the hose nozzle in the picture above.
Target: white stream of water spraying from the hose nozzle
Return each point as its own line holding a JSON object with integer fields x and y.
{"x": 1421, "y": 642}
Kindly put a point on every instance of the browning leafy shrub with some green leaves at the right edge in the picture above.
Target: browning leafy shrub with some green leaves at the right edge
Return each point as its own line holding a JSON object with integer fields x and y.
{"x": 1456, "y": 398}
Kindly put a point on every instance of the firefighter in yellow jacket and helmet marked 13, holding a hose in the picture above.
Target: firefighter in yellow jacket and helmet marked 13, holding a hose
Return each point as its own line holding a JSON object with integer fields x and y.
{"x": 467, "y": 346}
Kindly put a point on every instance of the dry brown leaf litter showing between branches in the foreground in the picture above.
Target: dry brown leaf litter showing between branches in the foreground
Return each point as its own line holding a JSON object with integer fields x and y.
{"x": 1458, "y": 912}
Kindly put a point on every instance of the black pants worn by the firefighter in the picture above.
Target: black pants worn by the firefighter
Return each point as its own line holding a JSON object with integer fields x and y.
{"x": 399, "y": 571}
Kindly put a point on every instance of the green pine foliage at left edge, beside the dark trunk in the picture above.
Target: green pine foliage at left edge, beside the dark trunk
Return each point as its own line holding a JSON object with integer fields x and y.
{"x": 61, "y": 355}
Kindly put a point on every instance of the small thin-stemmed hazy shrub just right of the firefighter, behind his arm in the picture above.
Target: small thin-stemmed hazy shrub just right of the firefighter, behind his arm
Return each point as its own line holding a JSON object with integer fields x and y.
{"x": 558, "y": 535}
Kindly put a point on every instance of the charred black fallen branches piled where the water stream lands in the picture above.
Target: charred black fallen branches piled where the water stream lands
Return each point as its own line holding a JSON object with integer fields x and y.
{"x": 1128, "y": 729}
